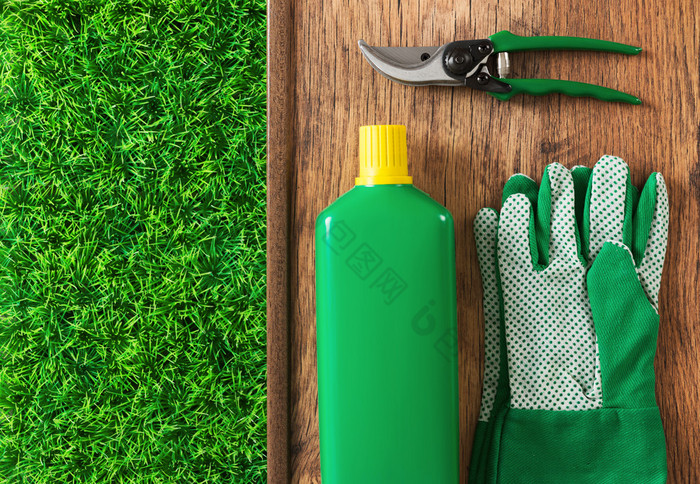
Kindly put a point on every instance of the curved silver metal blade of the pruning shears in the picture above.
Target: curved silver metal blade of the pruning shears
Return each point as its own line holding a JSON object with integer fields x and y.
{"x": 414, "y": 66}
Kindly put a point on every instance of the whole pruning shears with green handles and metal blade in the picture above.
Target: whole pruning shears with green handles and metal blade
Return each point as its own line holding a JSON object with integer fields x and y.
{"x": 466, "y": 63}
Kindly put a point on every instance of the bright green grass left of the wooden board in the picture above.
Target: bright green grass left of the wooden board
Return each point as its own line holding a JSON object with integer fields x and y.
{"x": 132, "y": 213}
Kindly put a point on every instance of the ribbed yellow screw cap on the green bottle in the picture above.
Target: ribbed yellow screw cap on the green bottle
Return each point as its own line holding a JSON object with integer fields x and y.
{"x": 383, "y": 158}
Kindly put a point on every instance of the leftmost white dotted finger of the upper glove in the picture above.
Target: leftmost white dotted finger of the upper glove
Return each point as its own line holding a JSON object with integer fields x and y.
{"x": 516, "y": 238}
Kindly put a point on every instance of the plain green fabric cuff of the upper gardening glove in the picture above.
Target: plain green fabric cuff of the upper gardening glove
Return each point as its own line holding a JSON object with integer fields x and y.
{"x": 608, "y": 445}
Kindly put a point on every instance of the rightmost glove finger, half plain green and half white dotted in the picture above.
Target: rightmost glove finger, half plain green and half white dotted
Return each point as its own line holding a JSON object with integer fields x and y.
{"x": 651, "y": 229}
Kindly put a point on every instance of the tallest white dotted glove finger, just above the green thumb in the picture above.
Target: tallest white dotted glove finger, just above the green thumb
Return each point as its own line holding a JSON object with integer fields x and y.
{"x": 605, "y": 204}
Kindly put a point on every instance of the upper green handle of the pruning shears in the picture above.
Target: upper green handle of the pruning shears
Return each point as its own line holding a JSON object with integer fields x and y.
{"x": 504, "y": 41}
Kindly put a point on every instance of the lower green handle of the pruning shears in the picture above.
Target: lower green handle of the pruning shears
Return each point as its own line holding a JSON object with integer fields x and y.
{"x": 539, "y": 87}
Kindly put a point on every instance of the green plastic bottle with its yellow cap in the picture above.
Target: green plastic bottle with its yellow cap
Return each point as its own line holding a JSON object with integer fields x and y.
{"x": 386, "y": 326}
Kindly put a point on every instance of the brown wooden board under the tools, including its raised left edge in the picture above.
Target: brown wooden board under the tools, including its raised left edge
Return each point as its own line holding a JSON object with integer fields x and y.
{"x": 463, "y": 145}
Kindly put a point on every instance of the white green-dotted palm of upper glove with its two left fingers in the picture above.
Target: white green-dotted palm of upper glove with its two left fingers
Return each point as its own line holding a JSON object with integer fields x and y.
{"x": 552, "y": 353}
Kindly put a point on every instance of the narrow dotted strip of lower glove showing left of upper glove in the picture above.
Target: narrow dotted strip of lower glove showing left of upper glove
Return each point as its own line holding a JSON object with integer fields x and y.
{"x": 485, "y": 233}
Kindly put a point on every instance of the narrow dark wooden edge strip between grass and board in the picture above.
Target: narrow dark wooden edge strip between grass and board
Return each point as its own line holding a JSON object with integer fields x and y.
{"x": 280, "y": 144}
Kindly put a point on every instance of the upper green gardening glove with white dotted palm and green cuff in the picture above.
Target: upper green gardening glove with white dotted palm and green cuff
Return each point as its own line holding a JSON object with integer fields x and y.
{"x": 580, "y": 326}
